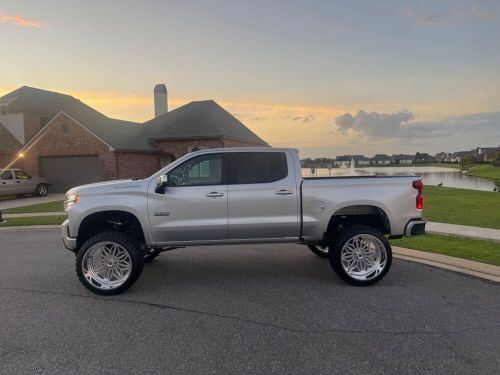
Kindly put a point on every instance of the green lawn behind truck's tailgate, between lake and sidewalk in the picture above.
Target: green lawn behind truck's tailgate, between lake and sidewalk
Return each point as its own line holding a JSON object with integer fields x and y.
{"x": 461, "y": 206}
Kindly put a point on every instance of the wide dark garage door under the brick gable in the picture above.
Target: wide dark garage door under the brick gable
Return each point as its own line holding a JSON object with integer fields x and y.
{"x": 65, "y": 172}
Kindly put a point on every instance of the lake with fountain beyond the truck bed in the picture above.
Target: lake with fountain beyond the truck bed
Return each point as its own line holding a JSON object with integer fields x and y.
{"x": 449, "y": 177}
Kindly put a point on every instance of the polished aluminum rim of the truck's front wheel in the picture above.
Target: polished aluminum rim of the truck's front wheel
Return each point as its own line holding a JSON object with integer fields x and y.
{"x": 107, "y": 265}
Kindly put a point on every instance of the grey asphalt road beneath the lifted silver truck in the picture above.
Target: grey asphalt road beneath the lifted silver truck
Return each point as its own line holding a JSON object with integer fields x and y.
{"x": 249, "y": 309}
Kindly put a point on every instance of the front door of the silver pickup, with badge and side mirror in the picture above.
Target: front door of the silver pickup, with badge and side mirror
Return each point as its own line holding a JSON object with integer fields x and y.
{"x": 193, "y": 206}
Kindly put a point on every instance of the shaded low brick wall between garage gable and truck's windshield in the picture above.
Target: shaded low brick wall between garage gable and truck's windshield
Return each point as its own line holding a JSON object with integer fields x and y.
{"x": 132, "y": 165}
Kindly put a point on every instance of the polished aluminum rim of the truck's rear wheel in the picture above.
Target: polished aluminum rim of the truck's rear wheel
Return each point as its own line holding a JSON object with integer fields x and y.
{"x": 363, "y": 257}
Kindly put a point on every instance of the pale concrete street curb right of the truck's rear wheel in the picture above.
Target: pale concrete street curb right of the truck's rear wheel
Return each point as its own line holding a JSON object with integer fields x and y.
{"x": 469, "y": 267}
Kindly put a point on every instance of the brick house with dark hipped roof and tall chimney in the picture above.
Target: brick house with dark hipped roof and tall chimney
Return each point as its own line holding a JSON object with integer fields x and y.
{"x": 71, "y": 143}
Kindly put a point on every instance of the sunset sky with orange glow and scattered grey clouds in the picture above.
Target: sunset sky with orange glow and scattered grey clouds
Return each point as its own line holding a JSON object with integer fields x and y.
{"x": 327, "y": 77}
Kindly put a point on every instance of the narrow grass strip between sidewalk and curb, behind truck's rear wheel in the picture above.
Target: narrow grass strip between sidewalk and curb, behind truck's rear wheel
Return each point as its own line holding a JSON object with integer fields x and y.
{"x": 479, "y": 251}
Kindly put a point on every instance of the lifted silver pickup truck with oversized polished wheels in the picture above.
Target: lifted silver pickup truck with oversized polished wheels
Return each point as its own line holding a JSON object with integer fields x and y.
{"x": 238, "y": 196}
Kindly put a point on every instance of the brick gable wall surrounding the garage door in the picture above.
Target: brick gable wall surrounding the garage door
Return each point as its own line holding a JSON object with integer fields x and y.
{"x": 76, "y": 141}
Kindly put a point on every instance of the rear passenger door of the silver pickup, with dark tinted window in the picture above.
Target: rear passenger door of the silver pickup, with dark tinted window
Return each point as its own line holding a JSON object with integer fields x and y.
{"x": 262, "y": 196}
